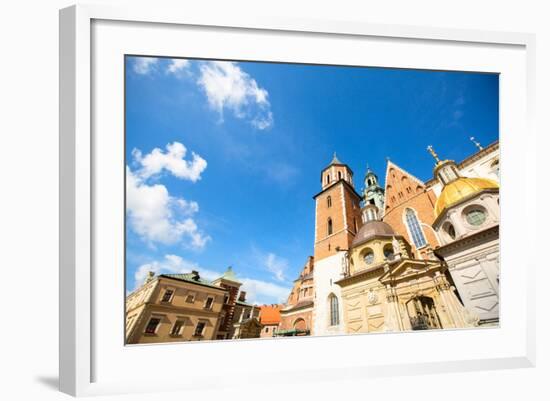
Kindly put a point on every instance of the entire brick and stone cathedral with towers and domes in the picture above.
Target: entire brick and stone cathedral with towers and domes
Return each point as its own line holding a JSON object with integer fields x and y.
{"x": 411, "y": 255}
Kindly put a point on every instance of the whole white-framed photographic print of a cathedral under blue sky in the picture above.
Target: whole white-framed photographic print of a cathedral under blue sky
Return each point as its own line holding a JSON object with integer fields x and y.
{"x": 231, "y": 188}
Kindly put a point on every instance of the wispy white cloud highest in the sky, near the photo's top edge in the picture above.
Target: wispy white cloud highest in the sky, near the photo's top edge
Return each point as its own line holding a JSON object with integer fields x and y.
{"x": 227, "y": 86}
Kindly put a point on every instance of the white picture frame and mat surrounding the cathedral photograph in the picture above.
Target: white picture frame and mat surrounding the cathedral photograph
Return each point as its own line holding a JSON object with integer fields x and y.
{"x": 80, "y": 210}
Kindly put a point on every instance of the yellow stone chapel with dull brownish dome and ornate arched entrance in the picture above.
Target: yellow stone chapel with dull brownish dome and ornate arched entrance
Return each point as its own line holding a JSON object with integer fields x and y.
{"x": 385, "y": 289}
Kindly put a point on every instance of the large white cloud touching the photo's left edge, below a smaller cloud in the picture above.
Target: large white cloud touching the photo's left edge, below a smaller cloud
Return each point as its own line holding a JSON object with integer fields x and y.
{"x": 158, "y": 217}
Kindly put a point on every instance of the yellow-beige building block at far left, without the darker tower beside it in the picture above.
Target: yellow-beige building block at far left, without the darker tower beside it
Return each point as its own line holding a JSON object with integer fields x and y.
{"x": 173, "y": 308}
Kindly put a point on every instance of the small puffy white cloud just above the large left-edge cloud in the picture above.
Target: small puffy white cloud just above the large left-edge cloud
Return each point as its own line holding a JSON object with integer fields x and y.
{"x": 173, "y": 160}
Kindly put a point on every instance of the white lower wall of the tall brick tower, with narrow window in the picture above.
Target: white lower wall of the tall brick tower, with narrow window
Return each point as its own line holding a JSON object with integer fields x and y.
{"x": 326, "y": 272}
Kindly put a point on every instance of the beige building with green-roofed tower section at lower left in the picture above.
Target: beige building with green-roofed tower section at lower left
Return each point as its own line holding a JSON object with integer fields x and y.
{"x": 185, "y": 307}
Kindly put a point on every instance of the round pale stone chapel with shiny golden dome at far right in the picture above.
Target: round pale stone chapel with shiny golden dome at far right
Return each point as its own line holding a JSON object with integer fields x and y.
{"x": 468, "y": 226}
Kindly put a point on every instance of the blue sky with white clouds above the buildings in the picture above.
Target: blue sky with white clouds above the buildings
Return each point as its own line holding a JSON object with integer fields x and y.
{"x": 223, "y": 158}
